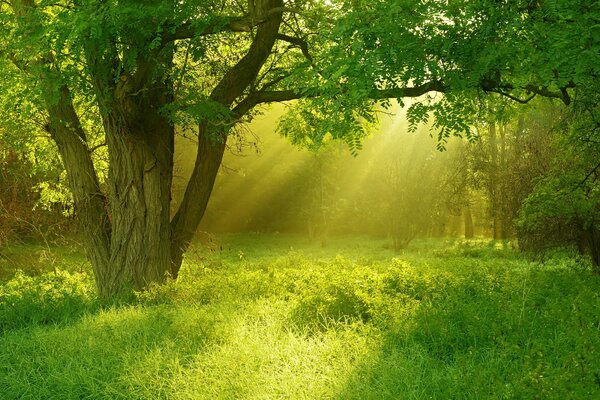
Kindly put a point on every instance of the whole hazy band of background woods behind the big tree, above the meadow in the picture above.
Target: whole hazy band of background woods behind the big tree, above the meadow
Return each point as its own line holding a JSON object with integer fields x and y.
{"x": 528, "y": 174}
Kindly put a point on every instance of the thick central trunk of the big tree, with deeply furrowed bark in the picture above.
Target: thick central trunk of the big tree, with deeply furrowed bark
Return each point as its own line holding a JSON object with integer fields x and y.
{"x": 140, "y": 140}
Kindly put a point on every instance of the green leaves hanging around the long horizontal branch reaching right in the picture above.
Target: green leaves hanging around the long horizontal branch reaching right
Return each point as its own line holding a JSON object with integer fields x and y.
{"x": 472, "y": 48}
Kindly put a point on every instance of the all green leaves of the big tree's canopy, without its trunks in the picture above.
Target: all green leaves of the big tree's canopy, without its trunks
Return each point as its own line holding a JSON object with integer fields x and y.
{"x": 471, "y": 47}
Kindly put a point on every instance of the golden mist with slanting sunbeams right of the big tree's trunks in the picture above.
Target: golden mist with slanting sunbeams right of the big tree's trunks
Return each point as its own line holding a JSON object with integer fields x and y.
{"x": 398, "y": 185}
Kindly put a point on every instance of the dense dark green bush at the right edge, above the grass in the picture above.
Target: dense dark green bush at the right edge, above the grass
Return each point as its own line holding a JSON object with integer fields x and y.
{"x": 564, "y": 207}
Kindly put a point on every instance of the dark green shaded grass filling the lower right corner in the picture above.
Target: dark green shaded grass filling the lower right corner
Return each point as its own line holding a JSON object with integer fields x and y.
{"x": 533, "y": 335}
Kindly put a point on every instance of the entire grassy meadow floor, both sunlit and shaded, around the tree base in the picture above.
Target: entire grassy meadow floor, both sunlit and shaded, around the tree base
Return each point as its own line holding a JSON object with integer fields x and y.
{"x": 276, "y": 317}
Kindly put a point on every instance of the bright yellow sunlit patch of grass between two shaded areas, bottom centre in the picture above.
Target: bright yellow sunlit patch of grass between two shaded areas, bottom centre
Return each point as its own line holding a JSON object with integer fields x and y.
{"x": 264, "y": 359}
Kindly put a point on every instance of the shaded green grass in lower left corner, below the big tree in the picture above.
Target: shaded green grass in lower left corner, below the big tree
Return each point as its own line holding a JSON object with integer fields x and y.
{"x": 114, "y": 354}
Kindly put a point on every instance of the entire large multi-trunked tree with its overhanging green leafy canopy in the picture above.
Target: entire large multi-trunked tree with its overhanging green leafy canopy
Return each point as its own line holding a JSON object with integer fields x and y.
{"x": 124, "y": 73}
